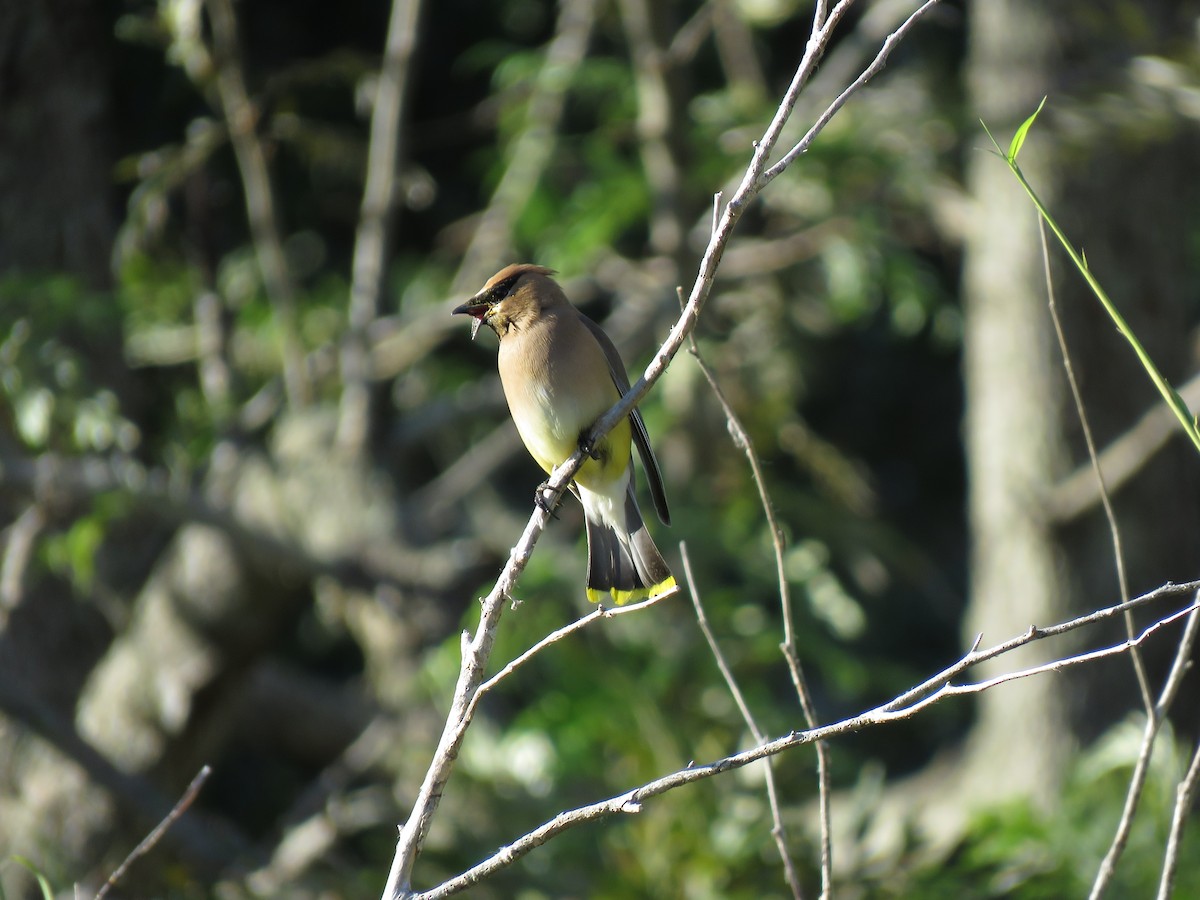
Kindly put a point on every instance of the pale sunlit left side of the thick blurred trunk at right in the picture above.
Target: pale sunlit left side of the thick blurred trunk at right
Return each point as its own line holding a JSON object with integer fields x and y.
{"x": 1013, "y": 381}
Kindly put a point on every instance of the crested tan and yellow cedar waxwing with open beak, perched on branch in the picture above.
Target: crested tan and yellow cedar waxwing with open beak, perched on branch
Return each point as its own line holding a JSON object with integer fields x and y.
{"x": 561, "y": 374}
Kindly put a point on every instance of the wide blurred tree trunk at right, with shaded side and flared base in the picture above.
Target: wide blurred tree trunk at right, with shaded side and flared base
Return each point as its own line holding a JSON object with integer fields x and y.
{"x": 1130, "y": 208}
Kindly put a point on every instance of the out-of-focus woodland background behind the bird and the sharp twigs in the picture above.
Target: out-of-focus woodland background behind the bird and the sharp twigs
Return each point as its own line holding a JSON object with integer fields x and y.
{"x": 254, "y": 476}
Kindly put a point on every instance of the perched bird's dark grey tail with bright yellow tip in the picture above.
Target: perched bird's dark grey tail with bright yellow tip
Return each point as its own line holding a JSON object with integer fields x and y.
{"x": 623, "y": 562}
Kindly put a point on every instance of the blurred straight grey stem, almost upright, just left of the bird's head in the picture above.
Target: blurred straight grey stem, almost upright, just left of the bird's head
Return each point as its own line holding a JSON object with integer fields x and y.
{"x": 376, "y": 220}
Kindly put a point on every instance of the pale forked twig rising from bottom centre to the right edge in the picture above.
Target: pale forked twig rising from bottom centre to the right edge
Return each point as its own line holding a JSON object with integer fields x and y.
{"x": 899, "y": 709}
